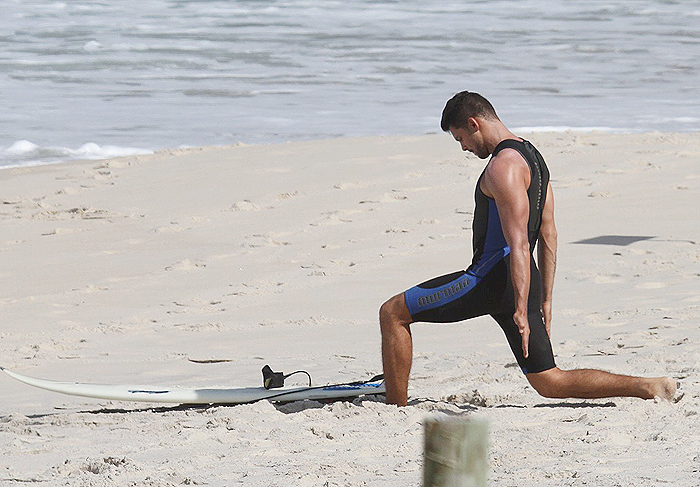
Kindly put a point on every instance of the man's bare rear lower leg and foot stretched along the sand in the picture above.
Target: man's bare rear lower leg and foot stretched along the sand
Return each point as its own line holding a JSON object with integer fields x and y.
{"x": 592, "y": 384}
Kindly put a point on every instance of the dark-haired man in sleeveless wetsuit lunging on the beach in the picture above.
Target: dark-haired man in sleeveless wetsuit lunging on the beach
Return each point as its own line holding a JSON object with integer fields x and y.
{"x": 514, "y": 211}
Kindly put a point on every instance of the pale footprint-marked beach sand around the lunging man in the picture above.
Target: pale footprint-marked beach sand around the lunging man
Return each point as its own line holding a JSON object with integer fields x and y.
{"x": 139, "y": 269}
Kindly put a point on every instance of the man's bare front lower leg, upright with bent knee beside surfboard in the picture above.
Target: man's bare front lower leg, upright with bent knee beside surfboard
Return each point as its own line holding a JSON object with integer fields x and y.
{"x": 397, "y": 348}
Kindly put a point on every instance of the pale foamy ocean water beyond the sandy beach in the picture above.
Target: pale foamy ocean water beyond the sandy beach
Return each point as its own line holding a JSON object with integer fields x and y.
{"x": 92, "y": 79}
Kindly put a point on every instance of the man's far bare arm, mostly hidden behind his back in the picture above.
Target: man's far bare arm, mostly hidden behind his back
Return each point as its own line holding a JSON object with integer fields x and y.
{"x": 547, "y": 256}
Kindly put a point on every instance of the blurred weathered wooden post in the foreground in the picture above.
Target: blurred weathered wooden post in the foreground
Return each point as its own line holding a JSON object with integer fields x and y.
{"x": 456, "y": 452}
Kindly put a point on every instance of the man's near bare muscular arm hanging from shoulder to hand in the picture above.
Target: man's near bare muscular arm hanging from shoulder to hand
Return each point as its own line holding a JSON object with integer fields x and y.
{"x": 506, "y": 180}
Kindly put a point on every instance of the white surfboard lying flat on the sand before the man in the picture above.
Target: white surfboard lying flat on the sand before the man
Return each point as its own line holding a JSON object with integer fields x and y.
{"x": 183, "y": 395}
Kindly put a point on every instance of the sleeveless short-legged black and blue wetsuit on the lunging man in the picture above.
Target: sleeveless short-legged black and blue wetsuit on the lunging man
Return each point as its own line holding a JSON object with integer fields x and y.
{"x": 485, "y": 288}
